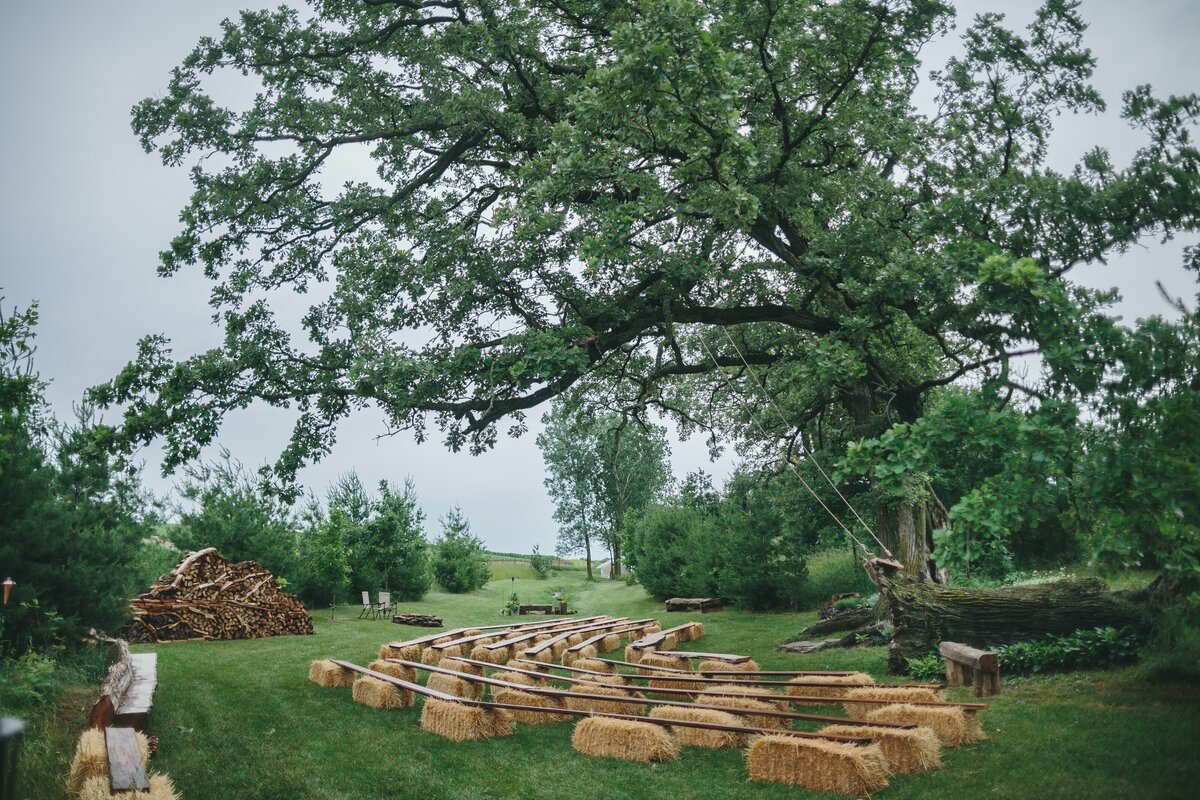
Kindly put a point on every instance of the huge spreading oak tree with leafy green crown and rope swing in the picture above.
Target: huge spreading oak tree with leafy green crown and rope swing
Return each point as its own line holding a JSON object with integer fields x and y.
{"x": 641, "y": 202}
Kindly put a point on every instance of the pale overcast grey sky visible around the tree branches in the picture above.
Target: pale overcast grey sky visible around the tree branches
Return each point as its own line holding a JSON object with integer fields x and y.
{"x": 85, "y": 213}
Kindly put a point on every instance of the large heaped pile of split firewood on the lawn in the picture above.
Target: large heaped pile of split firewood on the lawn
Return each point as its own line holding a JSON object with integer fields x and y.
{"x": 208, "y": 598}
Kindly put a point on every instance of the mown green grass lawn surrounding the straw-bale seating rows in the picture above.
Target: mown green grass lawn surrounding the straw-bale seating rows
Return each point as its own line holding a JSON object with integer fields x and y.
{"x": 241, "y": 720}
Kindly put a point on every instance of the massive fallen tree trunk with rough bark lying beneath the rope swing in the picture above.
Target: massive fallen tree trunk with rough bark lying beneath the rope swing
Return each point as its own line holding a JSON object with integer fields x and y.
{"x": 926, "y": 615}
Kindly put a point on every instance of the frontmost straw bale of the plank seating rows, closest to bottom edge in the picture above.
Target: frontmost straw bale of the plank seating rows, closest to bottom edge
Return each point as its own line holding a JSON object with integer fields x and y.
{"x": 819, "y": 766}
